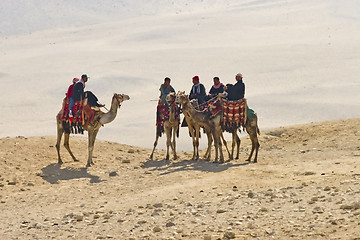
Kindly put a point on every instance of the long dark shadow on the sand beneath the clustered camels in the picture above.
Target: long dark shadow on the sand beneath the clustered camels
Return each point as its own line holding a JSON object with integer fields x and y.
{"x": 168, "y": 167}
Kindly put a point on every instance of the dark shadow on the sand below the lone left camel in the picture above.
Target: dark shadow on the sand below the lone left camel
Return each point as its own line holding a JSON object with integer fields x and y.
{"x": 53, "y": 173}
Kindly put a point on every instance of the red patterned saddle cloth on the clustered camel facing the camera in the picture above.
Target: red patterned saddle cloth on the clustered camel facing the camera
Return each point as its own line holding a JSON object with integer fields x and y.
{"x": 163, "y": 114}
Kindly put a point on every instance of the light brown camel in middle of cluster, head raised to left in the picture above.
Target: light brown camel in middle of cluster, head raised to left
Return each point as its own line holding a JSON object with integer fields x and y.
{"x": 198, "y": 119}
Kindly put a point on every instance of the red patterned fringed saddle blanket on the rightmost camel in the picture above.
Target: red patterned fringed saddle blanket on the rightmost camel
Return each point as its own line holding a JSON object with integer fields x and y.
{"x": 234, "y": 113}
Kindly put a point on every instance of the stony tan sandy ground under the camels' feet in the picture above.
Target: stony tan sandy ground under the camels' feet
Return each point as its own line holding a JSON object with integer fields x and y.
{"x": 305, "y": 186}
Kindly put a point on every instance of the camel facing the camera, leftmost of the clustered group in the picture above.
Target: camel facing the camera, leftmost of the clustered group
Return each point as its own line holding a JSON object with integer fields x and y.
{"x": 171, "y": 128}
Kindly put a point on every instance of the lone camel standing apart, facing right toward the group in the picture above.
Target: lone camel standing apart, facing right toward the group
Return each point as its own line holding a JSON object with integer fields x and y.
{"x": 92, "y": 128}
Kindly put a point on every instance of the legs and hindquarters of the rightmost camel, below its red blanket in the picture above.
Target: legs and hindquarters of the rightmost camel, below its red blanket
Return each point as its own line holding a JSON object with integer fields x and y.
{"x": 252, "y": 129}
